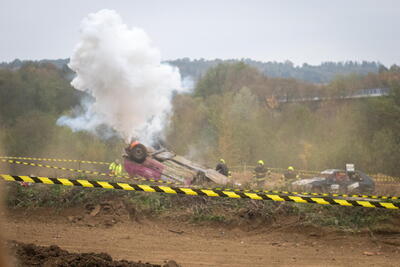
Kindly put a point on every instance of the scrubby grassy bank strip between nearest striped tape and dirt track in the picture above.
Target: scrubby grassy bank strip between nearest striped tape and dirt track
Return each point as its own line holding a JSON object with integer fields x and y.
{"x": 197, "y": 209}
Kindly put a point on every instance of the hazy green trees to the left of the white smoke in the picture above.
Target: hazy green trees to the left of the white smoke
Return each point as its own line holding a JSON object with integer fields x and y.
{"x": 32, "y": 98}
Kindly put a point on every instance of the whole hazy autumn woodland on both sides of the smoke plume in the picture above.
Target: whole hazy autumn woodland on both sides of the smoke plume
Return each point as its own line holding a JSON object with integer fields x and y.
{"x": 227, "y": 115}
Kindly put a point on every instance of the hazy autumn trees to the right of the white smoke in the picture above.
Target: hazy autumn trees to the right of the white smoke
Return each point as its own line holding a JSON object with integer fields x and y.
{"x": 228, "y": 116}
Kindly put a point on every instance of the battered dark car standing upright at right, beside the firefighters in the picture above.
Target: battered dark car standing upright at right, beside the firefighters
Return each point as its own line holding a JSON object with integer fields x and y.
{"x": 337, "y": 181}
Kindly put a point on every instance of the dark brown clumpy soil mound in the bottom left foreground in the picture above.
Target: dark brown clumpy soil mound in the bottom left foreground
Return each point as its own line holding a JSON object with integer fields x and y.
{"x": 31, "y": 255}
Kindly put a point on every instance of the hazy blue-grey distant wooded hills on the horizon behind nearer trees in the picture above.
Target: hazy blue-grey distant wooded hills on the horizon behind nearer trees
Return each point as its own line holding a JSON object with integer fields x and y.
{"x": 196, "y": 68}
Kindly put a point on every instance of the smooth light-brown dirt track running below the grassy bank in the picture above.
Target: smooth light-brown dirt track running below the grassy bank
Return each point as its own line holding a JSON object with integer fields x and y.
{"x": 193, "y": 245}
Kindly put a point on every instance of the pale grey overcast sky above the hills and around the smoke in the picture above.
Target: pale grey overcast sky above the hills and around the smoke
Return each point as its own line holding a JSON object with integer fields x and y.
{"x": 310, "y": 31}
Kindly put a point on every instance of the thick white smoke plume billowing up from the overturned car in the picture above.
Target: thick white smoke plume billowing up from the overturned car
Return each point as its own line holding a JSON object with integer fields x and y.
{"x": 122, "y": 70}
